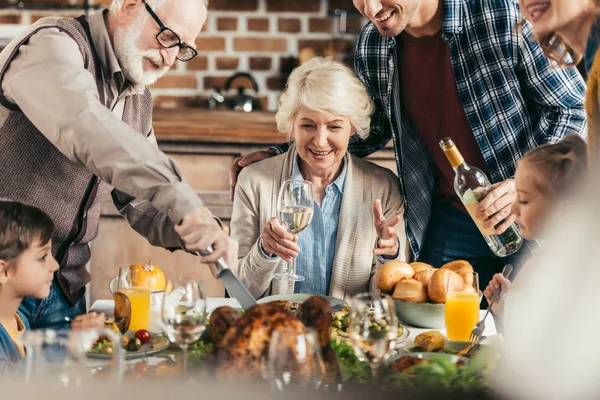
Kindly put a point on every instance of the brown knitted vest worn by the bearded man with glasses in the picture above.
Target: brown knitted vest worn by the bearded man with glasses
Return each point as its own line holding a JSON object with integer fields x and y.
{"x": 35, "y": 172}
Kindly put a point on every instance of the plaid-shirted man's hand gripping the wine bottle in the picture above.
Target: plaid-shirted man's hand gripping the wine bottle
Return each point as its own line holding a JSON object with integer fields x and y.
{"x": 495, "y": 207}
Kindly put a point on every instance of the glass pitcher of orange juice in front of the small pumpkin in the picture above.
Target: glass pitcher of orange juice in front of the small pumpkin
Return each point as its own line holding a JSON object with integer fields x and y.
{"x": 132, "y": 296}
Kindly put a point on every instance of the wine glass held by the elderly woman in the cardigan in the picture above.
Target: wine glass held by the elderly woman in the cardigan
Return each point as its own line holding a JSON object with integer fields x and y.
{"x": 294, "y": 209}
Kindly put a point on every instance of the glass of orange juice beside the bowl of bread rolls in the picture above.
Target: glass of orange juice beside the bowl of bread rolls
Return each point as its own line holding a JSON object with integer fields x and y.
{"x": 462, "y": 311}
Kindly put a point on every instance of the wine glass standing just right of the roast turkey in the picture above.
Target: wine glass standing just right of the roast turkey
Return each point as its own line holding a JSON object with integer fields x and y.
{"x": 373, "y": 328}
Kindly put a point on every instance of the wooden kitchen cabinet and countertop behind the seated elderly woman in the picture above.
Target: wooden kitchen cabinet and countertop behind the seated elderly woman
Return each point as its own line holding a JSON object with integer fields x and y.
{"x": 204, "y": 143}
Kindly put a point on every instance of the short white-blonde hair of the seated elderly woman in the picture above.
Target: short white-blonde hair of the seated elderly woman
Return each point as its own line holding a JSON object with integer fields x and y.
{"x": 327, "y": 86}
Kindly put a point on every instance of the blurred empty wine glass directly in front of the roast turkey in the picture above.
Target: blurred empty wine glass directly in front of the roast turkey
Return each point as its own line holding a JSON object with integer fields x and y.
{"x": 294, "y": 360}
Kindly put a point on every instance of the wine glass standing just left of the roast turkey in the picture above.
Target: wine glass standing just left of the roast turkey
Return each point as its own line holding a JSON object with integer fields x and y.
{"x": 184, "y": 314}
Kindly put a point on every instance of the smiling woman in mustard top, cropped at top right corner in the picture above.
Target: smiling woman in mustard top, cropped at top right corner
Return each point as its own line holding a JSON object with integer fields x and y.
{"x": 563, "y": 28}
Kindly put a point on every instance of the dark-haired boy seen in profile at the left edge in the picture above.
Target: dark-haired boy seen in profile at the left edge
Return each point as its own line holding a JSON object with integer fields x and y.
{"x": 26, "y": 269}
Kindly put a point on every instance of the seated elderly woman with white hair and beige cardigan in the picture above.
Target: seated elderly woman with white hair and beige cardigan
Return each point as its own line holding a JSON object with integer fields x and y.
{"x": 358, "y": 219}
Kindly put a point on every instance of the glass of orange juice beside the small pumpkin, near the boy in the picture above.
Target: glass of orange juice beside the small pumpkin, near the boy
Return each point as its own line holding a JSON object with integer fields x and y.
{"x": 134, "y": 283}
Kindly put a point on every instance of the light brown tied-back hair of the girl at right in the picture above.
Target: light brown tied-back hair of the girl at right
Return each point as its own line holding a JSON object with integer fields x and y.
{"x": 561, "y": 165}
